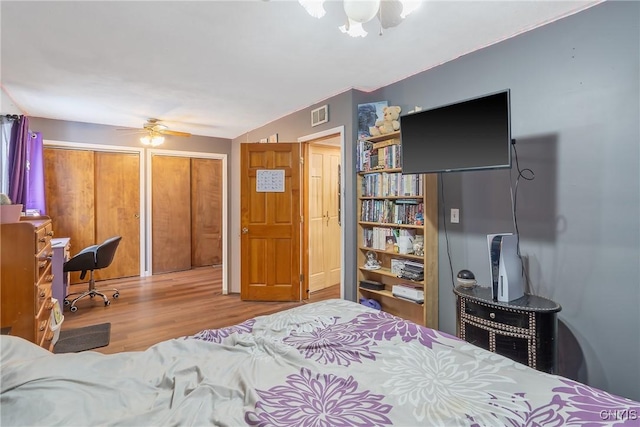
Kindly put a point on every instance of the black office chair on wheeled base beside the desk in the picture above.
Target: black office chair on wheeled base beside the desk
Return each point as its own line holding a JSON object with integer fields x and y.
{"x": 92, "y": 258}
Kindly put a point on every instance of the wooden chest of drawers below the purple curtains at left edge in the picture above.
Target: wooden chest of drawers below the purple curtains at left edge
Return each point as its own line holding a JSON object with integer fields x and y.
{"x": 25, "y": 296}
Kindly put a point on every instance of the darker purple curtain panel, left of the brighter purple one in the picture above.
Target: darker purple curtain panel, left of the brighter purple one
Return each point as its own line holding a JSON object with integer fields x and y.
{"x": 18, "y": 147}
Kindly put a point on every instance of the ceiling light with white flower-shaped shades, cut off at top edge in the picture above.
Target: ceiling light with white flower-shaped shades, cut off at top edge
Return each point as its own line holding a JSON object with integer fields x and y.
{"x": 389, "y": 12}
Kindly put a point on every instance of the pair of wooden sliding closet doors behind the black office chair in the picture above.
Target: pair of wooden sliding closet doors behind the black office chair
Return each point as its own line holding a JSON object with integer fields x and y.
{"x": 94, "y": 195}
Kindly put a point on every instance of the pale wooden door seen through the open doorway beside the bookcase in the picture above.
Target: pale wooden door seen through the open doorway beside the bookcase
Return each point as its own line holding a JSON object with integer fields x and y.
{"x": 324, "y": 223}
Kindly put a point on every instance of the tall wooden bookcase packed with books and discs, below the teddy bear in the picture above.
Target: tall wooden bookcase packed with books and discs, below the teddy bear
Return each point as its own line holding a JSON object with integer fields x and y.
{"x": 394, "y": 210}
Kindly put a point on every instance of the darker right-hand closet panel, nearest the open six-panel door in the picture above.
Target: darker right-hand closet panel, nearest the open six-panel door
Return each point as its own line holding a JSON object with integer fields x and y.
{"x": 206, "y": 212}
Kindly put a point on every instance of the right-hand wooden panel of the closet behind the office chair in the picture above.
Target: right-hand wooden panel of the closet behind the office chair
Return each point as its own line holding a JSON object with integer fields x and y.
{"x": 117, "y": 211}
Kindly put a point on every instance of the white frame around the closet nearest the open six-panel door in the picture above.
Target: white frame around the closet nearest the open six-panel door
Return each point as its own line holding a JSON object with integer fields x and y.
{"x": 198, "y": 155}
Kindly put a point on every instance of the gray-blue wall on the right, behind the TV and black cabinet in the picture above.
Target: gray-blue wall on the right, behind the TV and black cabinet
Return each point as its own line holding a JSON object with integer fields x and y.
{"x": 575, "y": 115}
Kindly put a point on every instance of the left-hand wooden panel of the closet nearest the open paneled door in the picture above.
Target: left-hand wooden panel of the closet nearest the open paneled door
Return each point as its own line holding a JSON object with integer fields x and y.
{"x": 171, "y": 213}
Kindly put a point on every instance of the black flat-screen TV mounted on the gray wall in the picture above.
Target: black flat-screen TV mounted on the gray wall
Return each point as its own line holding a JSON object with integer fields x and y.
{"x": 468, "y": 135}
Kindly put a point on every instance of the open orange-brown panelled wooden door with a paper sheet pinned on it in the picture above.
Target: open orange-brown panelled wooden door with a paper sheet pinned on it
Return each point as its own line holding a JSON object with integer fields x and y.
{"x": 270, "y": 222}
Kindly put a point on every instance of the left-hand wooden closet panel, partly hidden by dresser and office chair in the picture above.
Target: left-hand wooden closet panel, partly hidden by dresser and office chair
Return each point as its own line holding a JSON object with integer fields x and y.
{"x": 69, "y": 188}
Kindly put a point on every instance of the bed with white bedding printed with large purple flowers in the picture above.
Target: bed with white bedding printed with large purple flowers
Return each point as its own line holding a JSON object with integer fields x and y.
{"x": 329, "y": 363}
